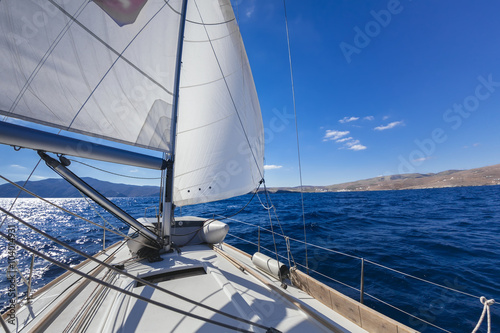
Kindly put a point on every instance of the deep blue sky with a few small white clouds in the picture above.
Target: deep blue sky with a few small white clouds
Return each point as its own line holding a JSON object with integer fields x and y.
{"x": 382, "y": 87}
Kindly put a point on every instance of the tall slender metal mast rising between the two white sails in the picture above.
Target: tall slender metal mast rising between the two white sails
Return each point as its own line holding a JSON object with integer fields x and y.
{"x": 168, "y": 208}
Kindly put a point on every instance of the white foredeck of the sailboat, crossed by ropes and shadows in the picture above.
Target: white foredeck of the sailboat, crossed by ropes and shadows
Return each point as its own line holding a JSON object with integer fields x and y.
{"x": 220, "y": 277}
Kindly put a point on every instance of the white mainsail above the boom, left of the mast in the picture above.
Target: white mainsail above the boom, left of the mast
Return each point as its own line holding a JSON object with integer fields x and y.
{"x": 102, "y": 68}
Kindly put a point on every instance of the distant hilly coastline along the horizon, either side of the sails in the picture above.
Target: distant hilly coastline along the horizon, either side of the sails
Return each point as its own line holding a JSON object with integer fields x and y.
{"x": 59, "y": 188}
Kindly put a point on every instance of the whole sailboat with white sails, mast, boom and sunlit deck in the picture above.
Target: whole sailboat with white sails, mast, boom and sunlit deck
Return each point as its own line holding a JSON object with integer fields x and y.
{"x": 171, "y": 77}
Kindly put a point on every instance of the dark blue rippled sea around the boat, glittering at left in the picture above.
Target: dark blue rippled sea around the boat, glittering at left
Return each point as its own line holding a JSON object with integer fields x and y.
{"x": 449, "y": 236}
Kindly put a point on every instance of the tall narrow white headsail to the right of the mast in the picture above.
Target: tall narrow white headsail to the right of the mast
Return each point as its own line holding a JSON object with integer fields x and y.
{"x": 220, "y": 136}
